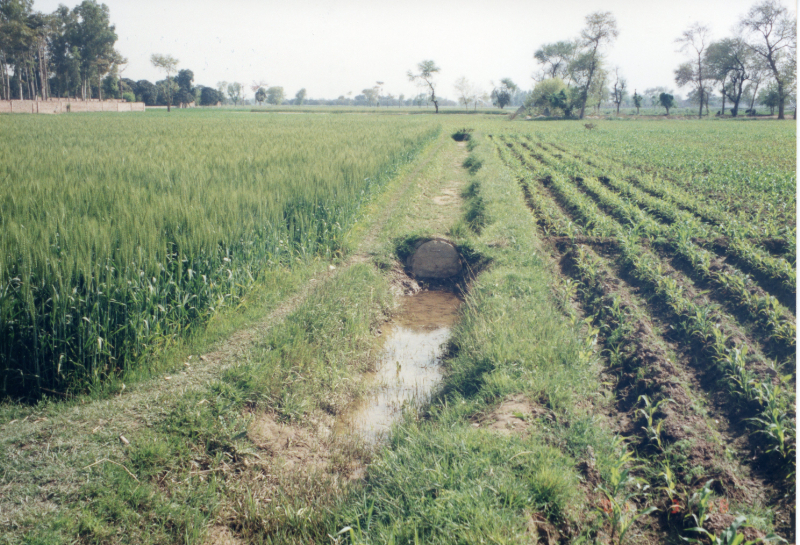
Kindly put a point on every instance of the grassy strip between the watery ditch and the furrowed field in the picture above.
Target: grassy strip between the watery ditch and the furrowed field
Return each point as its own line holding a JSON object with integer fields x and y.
{"x": 442, "y": 480}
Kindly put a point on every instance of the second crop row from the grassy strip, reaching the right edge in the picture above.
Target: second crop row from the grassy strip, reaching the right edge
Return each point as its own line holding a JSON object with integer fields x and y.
{"x": 697, "y": 322}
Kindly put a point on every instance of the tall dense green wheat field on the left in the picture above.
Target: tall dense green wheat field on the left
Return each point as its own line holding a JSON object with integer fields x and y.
{"x": 128, "y": 235}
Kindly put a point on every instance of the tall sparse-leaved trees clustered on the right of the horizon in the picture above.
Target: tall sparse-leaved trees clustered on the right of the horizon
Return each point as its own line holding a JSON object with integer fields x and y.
{"x": 758, "y": 63}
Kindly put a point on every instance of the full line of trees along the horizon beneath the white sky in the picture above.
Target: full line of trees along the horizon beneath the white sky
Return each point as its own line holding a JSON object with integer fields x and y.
{"x": 71, "y": 53}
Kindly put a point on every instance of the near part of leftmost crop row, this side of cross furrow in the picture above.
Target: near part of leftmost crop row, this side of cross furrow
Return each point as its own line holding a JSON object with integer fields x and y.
{"x": 631, "y": 344}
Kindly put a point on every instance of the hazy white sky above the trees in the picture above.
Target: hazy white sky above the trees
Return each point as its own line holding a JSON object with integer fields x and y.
{"x": 332, "y": 47}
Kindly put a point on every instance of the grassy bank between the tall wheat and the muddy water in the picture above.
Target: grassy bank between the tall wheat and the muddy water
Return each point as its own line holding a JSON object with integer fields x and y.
{"x": 180, "y": 461}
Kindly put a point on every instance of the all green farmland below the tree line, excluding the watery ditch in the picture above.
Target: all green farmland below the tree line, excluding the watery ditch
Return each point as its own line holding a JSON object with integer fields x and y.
{"x": 622, "y": 371}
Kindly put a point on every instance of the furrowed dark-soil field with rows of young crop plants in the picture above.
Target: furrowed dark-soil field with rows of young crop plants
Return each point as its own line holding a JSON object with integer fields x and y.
{"x": 692, "y": 295}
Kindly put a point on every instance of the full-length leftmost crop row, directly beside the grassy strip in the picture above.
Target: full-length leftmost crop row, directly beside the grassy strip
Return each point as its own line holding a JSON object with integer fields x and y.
{"x": 630, "y": 344}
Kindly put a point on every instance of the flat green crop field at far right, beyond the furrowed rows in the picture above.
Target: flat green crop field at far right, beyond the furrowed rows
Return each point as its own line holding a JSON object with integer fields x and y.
{"x": 748, "y": 171}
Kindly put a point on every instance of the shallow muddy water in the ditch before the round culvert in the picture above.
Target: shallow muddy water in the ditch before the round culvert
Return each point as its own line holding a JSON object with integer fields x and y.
{"x": 409, "y": 366}
